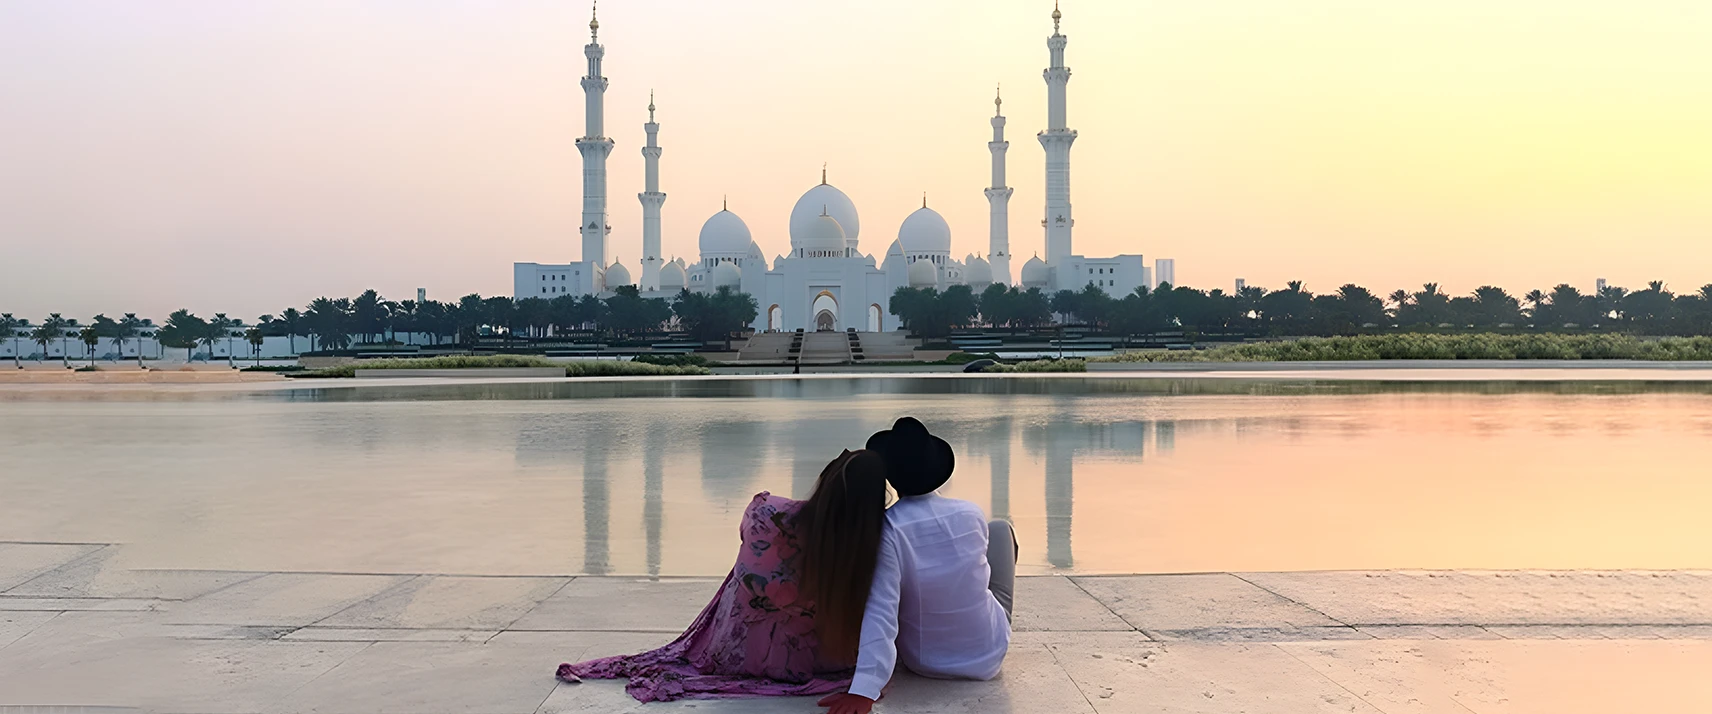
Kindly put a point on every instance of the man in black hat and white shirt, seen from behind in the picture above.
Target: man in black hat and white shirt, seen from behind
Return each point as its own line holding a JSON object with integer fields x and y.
{"x": 942, "y": 586}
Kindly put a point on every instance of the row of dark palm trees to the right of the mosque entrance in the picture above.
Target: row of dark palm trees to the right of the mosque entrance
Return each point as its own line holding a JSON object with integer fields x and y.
{"x": 1256, "y": 312}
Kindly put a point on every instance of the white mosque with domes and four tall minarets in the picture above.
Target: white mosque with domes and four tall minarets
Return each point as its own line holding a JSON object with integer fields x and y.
{"x": 826, "y": 282}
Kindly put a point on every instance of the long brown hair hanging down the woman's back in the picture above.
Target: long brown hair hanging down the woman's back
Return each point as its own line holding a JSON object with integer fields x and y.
{"x": 840, "y": 528}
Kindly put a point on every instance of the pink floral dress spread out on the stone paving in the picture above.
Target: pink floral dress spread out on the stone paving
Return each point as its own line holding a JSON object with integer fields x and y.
{"x": 756, "y": 640}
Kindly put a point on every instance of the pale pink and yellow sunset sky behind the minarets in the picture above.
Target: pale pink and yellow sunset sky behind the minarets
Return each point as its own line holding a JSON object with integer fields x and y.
{"x": 247, "y": 157}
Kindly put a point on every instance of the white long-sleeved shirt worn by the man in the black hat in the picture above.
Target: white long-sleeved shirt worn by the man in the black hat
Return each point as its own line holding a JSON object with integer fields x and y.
{"x": 929, "y": 604}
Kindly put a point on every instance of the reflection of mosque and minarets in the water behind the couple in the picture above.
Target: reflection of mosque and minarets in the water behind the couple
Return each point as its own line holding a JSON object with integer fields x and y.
{"x": 737, "y": 458}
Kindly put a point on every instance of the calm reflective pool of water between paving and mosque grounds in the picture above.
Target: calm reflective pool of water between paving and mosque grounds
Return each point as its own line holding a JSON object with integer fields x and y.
{"x": 1100, "y": 475}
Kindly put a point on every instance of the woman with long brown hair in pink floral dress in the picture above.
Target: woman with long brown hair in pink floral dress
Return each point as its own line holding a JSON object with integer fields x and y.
{"x": 788, "y": 617}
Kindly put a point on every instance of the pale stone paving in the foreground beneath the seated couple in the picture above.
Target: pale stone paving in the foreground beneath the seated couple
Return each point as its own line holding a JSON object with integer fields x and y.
{"x": 81, "y": 631}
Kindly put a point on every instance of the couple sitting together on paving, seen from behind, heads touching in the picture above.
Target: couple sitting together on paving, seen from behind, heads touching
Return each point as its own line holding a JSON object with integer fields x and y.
{"x": 828, "y": 595}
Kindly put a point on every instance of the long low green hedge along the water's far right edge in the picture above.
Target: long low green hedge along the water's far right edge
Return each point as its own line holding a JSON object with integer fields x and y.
{"x": 1446, "y": 347}
